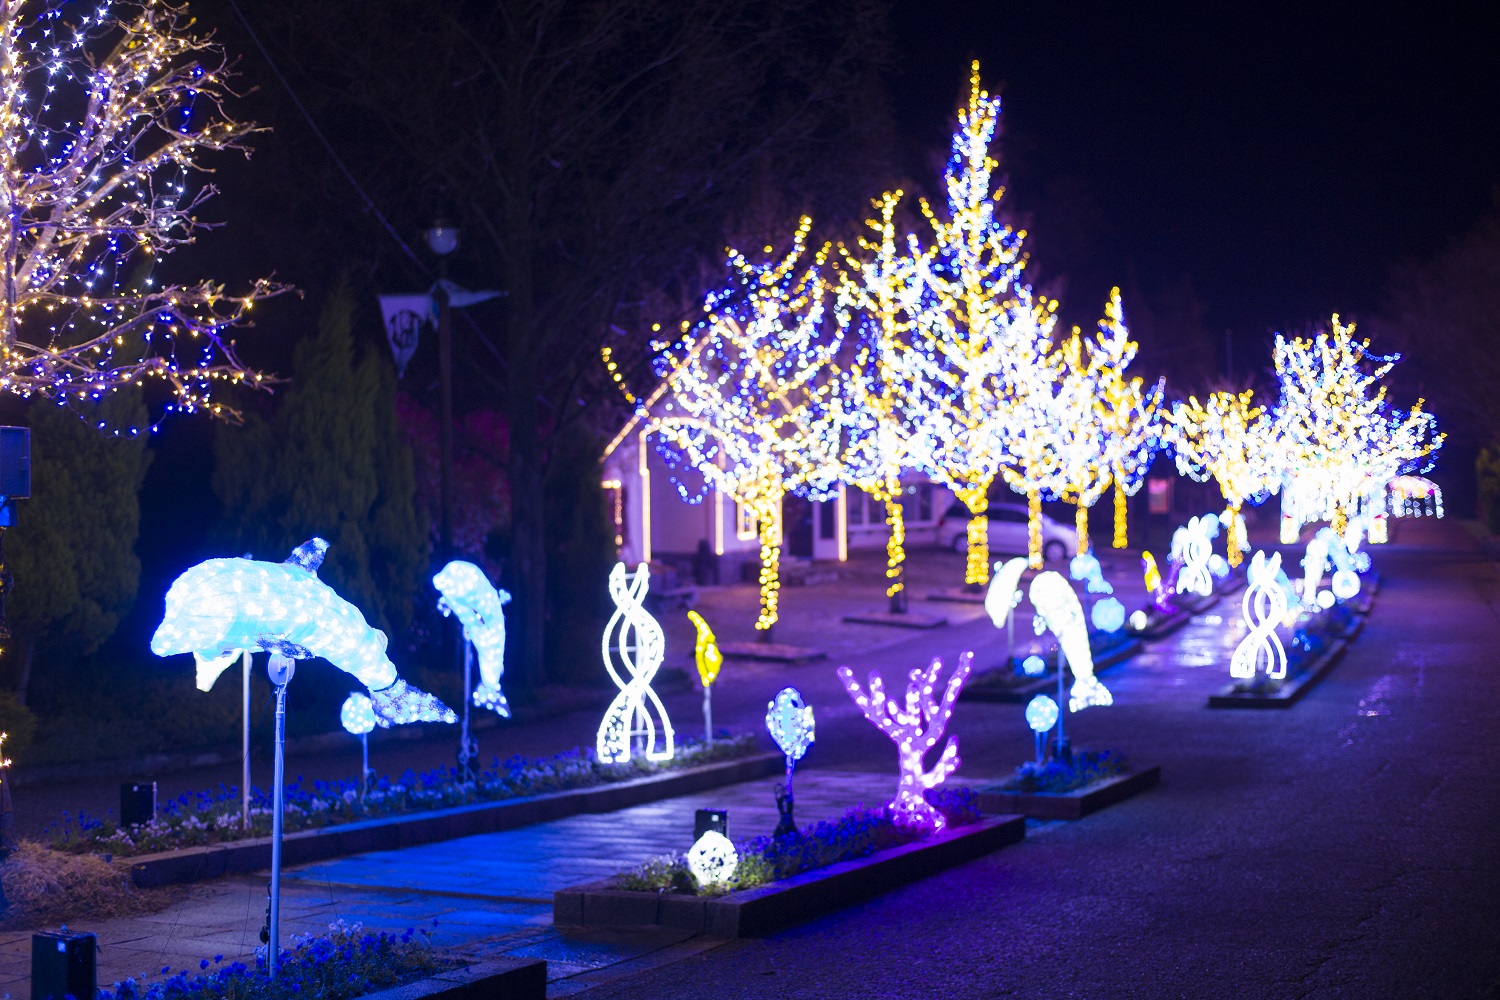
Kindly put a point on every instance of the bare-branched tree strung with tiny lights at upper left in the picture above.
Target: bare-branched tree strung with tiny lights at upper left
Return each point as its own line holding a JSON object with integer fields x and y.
{"x": 107, "y": 115}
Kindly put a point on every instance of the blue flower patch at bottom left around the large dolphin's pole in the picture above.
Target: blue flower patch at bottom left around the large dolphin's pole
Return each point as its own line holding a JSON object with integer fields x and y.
{"x": 337, "y": 966}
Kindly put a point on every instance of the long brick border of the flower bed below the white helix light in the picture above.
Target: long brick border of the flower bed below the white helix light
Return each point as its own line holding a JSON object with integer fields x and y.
{"x": 211, "y": 861}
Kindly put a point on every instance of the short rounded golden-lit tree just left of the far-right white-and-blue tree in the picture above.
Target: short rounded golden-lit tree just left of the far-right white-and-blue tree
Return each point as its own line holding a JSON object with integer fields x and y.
{"x": 1234, "y": 442}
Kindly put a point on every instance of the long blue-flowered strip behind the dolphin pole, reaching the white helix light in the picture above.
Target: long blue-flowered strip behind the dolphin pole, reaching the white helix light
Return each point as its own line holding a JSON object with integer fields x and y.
{"x": 215, "y": 818}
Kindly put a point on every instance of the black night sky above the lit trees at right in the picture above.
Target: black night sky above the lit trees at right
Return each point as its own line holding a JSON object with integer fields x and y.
{"x": 1285, "y": 160}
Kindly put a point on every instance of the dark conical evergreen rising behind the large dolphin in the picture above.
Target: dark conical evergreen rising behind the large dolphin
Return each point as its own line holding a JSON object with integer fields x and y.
{"x": 331, "y": 463}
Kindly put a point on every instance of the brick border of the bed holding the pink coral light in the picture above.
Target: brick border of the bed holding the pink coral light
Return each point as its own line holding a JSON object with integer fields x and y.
{"x": 790, "y": 902}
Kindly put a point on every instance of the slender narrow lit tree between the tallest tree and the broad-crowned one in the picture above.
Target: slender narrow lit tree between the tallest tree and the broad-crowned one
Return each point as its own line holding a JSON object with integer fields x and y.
{"x": 880, "y": 293}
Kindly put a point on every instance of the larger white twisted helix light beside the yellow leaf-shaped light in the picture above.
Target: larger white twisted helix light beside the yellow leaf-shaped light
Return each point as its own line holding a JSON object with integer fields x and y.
{"x": 640, "y": 650}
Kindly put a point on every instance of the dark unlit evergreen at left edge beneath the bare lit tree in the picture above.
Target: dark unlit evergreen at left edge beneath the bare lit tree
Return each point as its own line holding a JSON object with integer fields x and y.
{"x": 73, "y": 549}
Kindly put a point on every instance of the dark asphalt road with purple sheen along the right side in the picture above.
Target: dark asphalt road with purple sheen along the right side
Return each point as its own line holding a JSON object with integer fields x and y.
{"x": 1345, "y": 848}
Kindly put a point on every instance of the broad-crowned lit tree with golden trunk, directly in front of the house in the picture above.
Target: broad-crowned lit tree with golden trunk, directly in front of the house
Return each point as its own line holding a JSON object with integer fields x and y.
{"x": 754, "y": 398}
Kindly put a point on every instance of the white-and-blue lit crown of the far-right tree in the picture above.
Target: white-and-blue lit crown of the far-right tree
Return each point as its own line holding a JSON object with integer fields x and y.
{"x": 1334, "y": 427}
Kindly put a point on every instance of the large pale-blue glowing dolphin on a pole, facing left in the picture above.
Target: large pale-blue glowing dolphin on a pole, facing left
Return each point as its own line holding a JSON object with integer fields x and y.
{"x": 223, "y": 606}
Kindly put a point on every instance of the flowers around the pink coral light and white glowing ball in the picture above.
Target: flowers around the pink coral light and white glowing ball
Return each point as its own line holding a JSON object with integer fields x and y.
{"x": 859, "y": 833}
